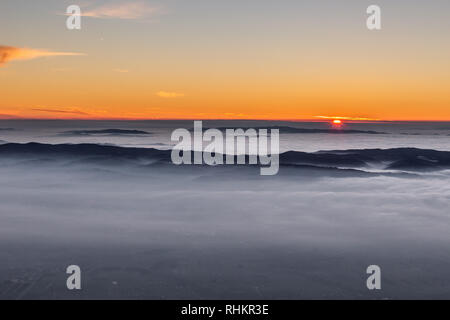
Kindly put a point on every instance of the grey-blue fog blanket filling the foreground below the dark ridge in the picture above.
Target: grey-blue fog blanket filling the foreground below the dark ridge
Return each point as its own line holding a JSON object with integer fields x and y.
{"x": 148, "y": 231}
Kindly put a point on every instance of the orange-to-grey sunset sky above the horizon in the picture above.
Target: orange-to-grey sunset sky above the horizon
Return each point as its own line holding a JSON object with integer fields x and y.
{"x": 217, "y": 59}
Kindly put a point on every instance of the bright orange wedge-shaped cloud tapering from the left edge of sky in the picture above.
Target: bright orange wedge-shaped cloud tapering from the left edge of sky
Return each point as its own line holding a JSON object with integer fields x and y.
{"x": 8, "y": 54}
